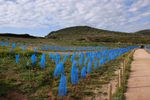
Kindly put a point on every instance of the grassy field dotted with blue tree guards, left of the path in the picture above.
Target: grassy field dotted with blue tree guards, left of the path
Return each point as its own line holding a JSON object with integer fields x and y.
{"x": 38, "y": 73}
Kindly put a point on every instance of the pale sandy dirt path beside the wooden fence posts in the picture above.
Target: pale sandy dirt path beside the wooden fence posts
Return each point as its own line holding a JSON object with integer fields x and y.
{"x": 139, "y": 81}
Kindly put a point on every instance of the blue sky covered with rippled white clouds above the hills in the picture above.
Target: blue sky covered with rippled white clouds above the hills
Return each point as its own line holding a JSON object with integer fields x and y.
{"x": 39, "y": 17}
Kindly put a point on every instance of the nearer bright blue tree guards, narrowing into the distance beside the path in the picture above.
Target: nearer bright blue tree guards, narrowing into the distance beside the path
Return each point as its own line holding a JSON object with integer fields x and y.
{"x": 85, "y": 61}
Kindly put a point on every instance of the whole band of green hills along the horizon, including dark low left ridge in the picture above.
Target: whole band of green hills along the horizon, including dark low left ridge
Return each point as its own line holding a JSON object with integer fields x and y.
{"x": 82, "y": 36}
